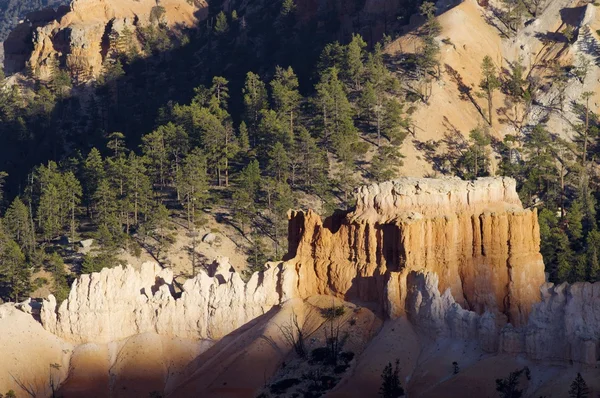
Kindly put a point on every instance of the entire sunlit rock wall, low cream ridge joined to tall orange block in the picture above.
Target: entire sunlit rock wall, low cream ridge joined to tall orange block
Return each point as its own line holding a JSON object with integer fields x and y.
{"x": 475, "y": 236}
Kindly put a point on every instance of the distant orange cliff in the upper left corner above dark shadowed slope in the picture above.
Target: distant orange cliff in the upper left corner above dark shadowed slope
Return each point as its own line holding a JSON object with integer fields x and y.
{"x": 78, "y": 37}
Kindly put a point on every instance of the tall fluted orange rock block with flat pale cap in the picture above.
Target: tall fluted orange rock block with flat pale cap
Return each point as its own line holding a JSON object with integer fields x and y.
{"x": 475, "y": 236}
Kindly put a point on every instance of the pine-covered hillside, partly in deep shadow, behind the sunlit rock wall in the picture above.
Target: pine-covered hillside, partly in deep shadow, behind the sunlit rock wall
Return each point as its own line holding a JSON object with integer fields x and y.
{"x": 257, "y": 111}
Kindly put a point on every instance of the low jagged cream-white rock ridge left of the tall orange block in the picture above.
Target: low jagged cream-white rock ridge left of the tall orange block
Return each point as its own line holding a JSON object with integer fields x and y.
{"x": 117, "y": 303}
